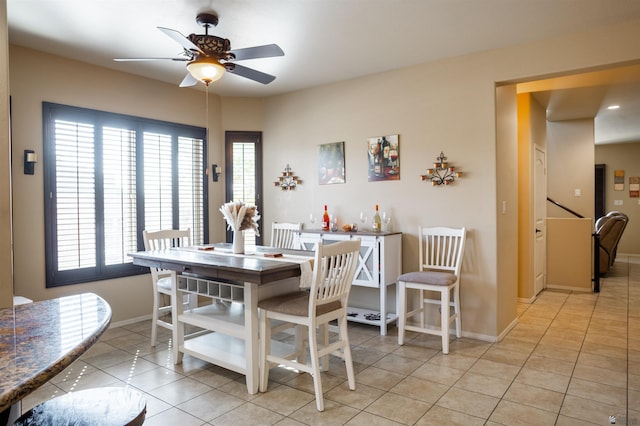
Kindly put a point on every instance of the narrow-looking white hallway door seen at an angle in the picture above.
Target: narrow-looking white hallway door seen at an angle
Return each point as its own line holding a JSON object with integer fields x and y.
{"x": 540, "y": 215}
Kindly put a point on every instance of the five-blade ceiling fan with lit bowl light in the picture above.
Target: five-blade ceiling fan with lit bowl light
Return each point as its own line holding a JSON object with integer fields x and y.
{"x": 208, "y": 56}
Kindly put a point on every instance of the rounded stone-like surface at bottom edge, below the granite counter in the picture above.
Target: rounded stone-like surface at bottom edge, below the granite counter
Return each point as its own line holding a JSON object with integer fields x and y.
{"x": 110, "y": 406}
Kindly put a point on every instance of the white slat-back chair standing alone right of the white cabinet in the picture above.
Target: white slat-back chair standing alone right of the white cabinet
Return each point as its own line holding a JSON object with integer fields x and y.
{"x": 441, "y": 252}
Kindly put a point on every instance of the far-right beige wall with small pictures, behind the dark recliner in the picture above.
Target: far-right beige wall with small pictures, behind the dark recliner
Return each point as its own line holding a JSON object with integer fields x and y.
{"x": 622, "y": 156}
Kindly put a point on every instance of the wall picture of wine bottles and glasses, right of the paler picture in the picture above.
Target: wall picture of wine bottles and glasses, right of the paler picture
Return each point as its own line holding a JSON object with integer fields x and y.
{"x": 383, "y": 156}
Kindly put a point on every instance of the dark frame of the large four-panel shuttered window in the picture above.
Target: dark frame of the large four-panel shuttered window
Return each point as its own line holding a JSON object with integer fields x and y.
{"x": 101, "y": 119}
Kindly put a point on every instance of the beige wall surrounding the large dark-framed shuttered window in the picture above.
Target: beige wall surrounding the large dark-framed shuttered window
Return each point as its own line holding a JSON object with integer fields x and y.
{"x": 74, "y": 83}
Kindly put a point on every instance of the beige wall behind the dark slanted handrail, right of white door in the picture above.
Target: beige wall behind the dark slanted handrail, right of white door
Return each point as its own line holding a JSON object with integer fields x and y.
{"x": 570, "y": 166}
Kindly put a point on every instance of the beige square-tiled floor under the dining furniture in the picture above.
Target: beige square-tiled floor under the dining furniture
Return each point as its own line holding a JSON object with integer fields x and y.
{"x": 573, "y": 358}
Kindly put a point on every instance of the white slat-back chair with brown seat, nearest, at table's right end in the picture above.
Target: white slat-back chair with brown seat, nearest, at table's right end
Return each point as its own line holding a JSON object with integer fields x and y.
{"x": 333, "y": 272}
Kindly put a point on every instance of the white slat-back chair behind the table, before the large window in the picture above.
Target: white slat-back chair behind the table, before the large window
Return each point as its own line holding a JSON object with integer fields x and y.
{"x": 162, "y": 279}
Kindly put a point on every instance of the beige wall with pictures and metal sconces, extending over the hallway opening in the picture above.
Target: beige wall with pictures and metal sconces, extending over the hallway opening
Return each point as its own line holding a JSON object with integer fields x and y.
{"x": 434, "y": 107}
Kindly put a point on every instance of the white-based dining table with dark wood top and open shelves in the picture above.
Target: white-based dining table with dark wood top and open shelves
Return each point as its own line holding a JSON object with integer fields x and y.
{"x": 234, "y": 283}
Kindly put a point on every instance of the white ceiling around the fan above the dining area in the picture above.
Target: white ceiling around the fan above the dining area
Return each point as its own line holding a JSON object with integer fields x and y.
{"x": 323, "y": 40}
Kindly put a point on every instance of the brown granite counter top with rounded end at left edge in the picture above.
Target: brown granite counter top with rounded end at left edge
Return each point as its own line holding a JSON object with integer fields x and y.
{"x": 38, "y": 340}
